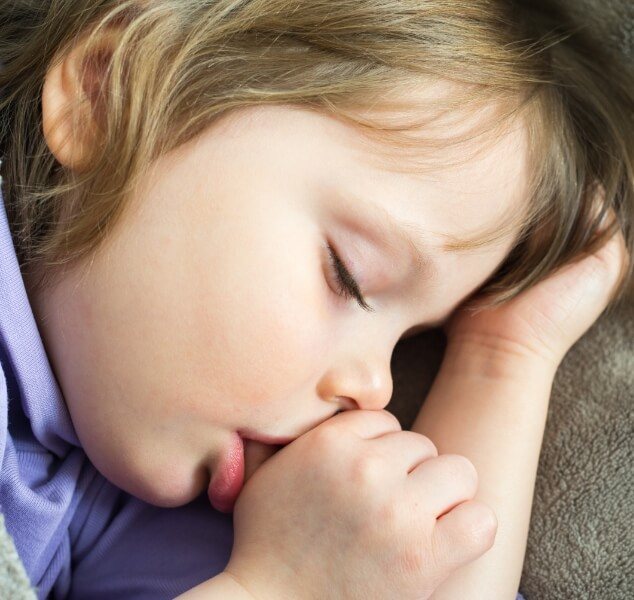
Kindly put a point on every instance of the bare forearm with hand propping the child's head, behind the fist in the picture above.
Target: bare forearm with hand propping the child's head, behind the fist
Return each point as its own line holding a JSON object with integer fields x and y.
{"x": 490, "y": 402}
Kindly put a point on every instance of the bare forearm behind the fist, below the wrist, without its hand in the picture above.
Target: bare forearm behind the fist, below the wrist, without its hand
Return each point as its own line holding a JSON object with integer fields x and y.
{"x": 491, "y": 407}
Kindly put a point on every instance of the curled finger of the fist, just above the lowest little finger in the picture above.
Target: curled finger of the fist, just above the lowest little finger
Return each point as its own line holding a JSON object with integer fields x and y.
{"x": 446, "y": 481}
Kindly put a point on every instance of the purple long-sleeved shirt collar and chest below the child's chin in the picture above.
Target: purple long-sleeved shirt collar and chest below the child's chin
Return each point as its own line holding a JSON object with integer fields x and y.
{"x": 78, "y": 535}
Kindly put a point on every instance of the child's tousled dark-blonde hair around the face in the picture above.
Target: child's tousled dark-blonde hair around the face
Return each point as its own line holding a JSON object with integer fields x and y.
{"x": 180, "y": 65}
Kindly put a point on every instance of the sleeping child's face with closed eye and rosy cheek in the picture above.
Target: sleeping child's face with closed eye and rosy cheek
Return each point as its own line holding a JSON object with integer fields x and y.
{"x": 213, "y": 307}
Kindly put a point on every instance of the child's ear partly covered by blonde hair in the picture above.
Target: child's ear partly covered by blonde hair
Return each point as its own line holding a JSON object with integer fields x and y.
{"x": 71, "y": 100}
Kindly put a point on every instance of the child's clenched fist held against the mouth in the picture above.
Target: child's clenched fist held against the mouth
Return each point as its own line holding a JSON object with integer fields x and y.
{"x": 357, "y": 508}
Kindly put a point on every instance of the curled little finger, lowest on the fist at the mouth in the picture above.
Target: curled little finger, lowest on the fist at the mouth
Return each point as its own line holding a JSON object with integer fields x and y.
{"x": 465, "y": 533}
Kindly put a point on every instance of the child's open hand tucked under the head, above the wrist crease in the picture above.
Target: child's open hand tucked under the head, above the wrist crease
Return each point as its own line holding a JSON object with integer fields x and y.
{"x": 546, "y": 320}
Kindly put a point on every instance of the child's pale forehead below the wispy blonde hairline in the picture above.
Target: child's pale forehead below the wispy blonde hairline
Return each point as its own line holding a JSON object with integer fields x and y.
{"x": 461, "y": 180}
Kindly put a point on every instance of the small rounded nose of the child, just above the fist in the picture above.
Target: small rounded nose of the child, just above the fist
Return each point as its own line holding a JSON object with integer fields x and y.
{"x": 365, "y": 384}
